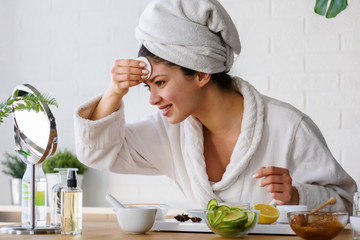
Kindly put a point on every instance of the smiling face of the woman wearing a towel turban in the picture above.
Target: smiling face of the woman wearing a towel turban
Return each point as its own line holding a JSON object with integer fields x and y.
{"x": 177, "y": 96}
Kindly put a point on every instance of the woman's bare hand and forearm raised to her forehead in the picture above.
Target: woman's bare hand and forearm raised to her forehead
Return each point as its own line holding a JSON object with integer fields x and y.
{"x": 126, "y": 73}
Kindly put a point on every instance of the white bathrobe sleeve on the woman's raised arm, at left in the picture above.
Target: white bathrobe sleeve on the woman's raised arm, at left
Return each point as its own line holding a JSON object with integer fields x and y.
{"x": 109, "y": 144}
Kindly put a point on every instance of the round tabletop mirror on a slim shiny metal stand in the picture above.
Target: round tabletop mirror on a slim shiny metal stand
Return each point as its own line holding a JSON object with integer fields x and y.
{"x": 36, "y": 139}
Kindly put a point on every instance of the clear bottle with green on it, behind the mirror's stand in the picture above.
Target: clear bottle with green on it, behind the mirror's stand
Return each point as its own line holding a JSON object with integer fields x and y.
{"x": 40, "y": 196}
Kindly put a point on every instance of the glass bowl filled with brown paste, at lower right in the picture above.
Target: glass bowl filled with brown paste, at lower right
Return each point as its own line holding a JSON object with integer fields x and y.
{"x": 320, "y": 225}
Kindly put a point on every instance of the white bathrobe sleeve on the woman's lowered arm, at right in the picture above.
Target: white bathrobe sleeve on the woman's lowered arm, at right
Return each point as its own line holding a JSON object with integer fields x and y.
{"x": 316, "y": 174}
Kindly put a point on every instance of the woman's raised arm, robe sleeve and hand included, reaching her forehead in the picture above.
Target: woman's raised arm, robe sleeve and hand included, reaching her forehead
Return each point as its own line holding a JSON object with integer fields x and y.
{"x": 103, "y": 139}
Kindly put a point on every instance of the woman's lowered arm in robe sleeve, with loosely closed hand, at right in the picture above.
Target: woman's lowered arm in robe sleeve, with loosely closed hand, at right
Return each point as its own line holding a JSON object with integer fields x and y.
{"x": 311, "y": 175}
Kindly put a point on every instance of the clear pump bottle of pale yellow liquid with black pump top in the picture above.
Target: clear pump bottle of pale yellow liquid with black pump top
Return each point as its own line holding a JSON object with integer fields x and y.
{"x": 71, "y": 206}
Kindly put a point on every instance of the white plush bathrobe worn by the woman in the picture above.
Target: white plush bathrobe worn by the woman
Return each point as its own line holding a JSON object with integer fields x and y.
{"x": 273, "y": 134}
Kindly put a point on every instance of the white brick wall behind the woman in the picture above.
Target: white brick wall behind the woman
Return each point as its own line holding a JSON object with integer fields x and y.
{"x": 66, "y": 48}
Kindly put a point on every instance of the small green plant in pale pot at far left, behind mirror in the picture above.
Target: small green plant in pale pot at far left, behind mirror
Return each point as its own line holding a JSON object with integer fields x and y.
{"x": 15, "y": 168}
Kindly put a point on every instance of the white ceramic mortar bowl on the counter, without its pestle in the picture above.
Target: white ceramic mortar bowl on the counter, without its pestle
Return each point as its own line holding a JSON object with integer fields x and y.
{"x": 136, "y": 220}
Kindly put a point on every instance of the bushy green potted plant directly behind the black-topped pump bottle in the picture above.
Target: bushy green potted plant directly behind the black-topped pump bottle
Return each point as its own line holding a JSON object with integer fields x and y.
{"x": 62, "y": 159}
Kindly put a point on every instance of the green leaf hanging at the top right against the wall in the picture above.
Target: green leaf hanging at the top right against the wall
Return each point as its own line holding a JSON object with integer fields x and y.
{"x": 335, "y": 7}
